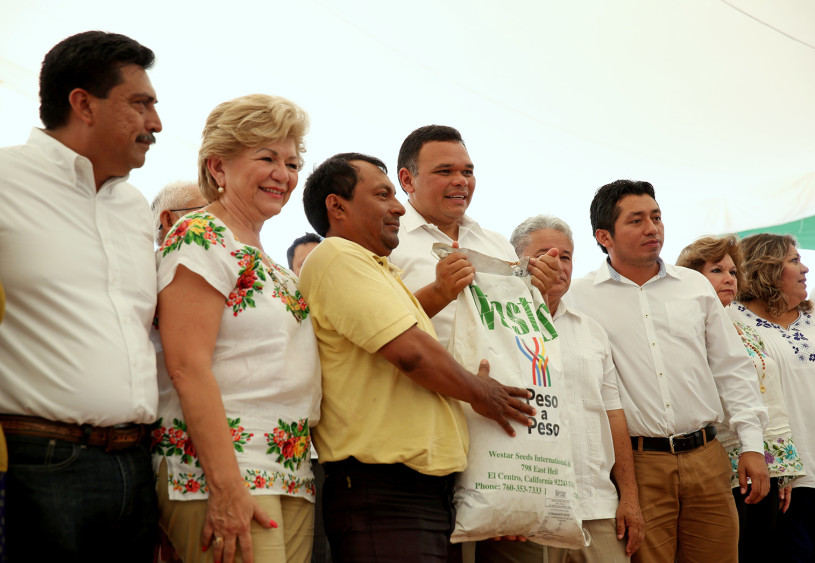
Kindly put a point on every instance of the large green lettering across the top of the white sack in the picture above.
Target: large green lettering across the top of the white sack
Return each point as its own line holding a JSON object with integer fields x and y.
{"x": 524, "y": 320}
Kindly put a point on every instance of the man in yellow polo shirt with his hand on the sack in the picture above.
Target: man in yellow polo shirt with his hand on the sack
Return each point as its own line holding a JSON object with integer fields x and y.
{"x": 392, "y": 431}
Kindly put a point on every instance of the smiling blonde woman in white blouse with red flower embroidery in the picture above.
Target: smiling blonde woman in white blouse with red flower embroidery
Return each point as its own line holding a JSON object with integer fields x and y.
{"x": 240, "y": 380}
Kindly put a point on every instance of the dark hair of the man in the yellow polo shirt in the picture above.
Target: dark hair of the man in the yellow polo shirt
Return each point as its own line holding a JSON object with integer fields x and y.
{"x": 334, "y": 176}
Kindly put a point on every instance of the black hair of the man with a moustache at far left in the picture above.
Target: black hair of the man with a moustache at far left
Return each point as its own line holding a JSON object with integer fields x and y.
{"x": 90, "y": 60}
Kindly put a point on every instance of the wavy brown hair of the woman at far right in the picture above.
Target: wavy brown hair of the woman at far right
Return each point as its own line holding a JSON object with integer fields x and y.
{"x": 764, "y": 257}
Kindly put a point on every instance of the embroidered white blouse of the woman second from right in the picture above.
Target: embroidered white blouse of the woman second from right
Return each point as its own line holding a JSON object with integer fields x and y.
{"x": 780, "y": 452}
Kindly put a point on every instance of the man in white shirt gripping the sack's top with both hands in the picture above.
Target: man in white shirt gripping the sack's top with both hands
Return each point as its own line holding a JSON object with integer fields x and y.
{"x": 436, "y": 172}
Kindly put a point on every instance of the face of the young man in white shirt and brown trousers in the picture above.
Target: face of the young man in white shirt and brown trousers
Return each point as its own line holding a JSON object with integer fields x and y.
{"x": 638, "y": 235}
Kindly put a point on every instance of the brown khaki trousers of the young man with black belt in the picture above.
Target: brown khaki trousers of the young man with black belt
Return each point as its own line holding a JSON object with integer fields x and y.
{"x": 689, "y": 512}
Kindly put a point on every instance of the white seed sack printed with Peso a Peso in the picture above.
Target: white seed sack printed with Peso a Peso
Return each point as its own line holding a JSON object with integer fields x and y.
{"x": 523, "y": 485}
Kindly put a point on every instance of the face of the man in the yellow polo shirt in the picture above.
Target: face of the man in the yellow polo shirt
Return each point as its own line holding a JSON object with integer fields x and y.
{"x": 372, "y": 215}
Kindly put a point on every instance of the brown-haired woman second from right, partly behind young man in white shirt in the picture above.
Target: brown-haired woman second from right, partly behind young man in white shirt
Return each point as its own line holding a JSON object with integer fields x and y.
{"x": 720, "y": 260}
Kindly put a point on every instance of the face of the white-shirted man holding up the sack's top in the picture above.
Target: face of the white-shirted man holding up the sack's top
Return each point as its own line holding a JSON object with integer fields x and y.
{"x": 443, "y": 185}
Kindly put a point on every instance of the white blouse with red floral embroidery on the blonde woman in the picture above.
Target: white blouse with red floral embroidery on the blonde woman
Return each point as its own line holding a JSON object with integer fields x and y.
{"x": 265, "y": 362}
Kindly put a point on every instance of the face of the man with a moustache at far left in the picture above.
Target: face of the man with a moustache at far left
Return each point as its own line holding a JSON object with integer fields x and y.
{"x": 123, "y": 124}
